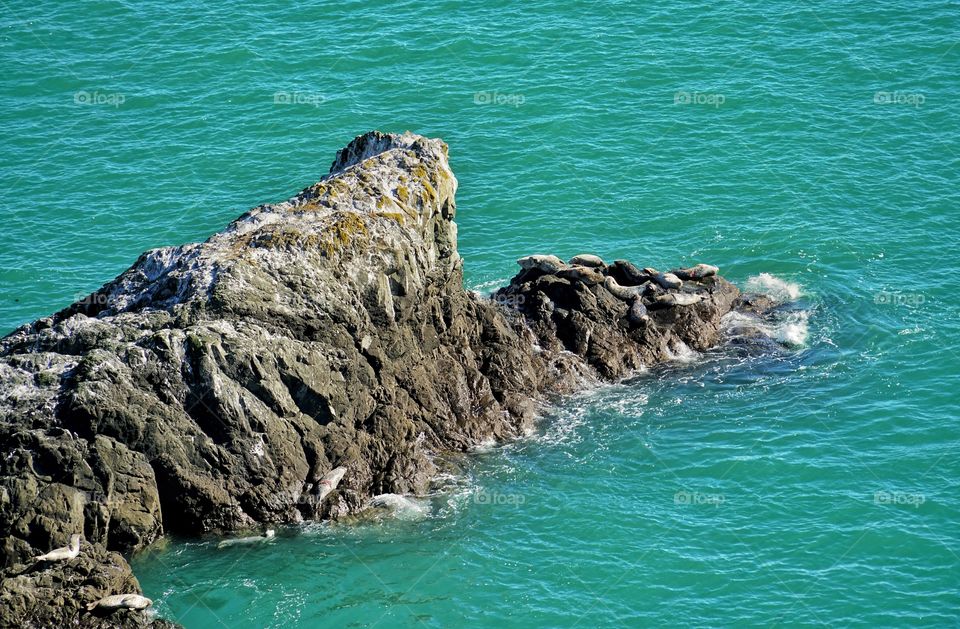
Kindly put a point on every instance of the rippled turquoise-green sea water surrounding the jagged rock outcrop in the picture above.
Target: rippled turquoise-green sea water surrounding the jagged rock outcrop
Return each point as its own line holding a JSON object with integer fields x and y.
{"x": 808, "y": 149}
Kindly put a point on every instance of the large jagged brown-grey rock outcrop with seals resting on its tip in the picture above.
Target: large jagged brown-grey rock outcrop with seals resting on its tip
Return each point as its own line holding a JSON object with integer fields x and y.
{"x": 212, "y": 387}
